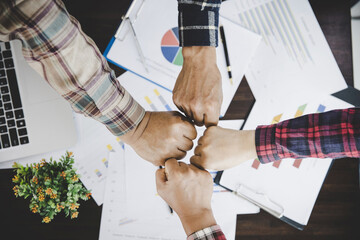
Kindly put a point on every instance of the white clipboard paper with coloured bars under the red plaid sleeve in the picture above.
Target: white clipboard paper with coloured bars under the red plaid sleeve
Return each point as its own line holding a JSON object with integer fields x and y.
{"x": 293, "y": 184}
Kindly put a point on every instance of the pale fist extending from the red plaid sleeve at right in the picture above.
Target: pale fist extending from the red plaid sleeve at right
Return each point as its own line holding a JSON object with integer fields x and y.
{"x": 221, "y": 148}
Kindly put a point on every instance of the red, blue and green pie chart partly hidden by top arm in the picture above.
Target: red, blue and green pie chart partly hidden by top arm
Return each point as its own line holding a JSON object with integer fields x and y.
{"x": 170, "y": 47}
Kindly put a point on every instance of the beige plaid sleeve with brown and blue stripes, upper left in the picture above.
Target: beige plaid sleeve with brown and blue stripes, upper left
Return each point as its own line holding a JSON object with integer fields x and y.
{"x": 56, "y": 47}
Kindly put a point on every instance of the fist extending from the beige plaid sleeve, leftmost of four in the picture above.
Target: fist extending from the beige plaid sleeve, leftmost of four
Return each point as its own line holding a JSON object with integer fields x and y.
{"x": 160, "y": 136}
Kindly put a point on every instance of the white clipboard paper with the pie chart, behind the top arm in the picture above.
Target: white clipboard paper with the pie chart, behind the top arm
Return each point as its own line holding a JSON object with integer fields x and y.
{"x": 241, "y": 45}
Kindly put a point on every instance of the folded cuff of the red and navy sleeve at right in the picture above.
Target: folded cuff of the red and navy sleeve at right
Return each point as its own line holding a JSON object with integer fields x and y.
{"x": 265, "y": 143}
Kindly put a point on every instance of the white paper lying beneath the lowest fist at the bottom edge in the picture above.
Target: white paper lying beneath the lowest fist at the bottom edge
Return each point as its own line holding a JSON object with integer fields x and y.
{"x": 132, "y": 208}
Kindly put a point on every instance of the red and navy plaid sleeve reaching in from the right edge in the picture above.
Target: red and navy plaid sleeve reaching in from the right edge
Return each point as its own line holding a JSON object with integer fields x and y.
{"x": 333, "y": 134}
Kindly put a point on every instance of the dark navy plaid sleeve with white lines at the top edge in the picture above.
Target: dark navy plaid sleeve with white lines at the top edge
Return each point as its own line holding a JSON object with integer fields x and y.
{"x": 198, "y": 22}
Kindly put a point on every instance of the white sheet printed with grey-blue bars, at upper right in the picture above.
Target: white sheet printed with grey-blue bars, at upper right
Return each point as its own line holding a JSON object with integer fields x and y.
{"x": 293, "y": 59}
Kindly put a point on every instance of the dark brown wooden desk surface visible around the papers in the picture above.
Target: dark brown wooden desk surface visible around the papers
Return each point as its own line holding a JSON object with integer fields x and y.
{"x": 336, "y": 214}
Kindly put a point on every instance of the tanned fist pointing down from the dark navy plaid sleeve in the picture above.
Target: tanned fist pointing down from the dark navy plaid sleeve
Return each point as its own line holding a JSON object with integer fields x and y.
{"x": 198, "y": 88}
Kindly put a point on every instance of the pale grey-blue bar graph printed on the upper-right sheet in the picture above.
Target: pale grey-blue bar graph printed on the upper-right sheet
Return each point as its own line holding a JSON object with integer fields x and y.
{"x": 275, "y": 22}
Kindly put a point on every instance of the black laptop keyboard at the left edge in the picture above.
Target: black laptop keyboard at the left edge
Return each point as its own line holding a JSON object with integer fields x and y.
{"x": 12, "y": 123}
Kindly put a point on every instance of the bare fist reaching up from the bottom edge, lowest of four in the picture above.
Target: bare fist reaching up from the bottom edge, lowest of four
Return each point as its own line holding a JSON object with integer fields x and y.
{"x": 187, "y": 190}
